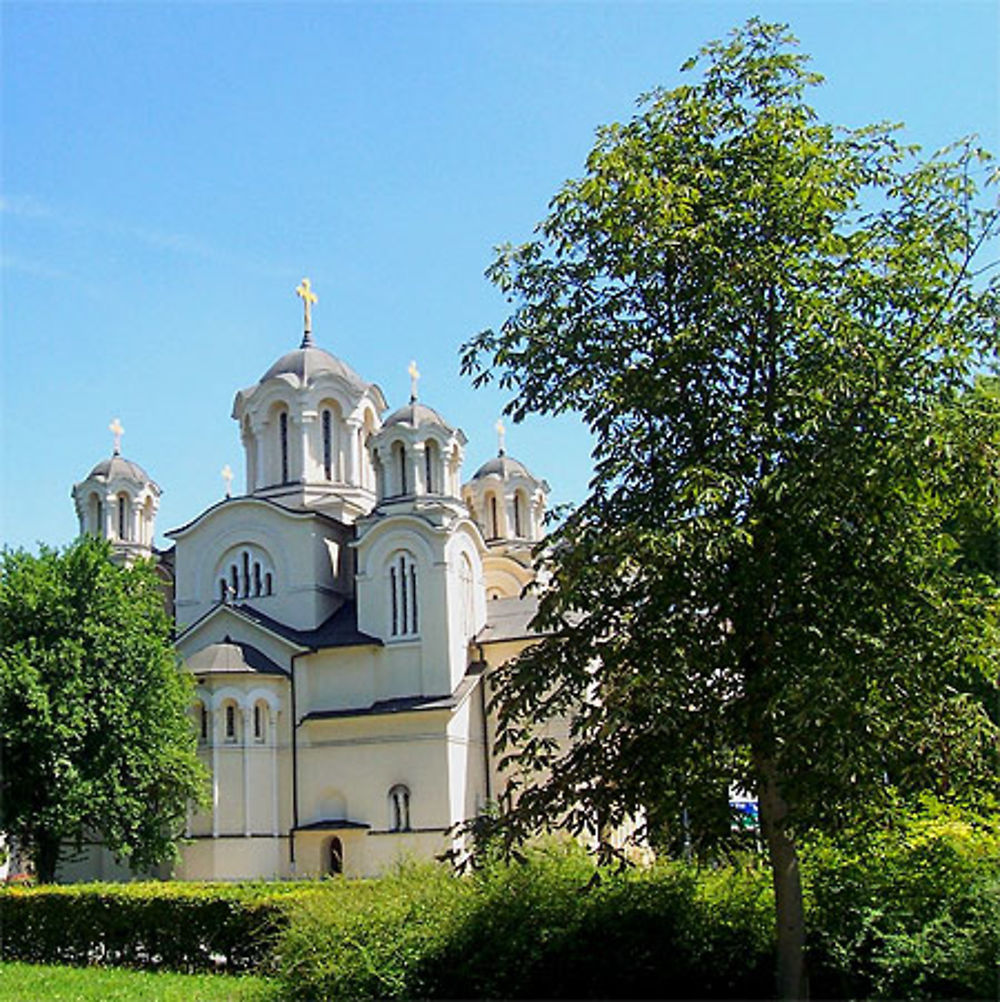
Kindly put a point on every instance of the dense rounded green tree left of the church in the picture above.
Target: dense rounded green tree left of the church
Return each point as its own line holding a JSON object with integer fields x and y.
{"x": 97, "y": 742}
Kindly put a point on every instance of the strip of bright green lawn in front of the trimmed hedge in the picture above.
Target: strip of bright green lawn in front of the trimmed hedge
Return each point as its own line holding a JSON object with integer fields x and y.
{"x": 29, "y": 983}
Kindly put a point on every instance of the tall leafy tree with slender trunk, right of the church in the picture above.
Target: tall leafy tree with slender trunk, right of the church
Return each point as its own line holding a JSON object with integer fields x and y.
{"x": 771, "y": 327}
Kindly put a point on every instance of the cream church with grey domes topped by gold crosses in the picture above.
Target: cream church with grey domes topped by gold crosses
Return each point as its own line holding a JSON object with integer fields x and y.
{"x": 340, "y": 618}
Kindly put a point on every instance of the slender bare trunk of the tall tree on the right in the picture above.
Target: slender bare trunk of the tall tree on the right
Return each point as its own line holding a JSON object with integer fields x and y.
{"x": 790, "y": 913}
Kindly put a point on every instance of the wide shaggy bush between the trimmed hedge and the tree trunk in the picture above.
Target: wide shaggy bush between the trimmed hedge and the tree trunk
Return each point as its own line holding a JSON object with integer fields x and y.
{"x": 552, "y": 927}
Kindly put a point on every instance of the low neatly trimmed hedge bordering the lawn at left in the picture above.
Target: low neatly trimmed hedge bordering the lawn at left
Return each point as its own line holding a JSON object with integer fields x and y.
{"x": 179, "y": 927}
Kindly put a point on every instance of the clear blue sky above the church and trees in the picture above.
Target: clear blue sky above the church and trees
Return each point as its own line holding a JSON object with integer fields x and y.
{"x": 170, "y": 173}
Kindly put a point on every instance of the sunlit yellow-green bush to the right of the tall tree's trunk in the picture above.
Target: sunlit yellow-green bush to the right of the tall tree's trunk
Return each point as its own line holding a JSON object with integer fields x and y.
{"x": 911, "y": 911}
